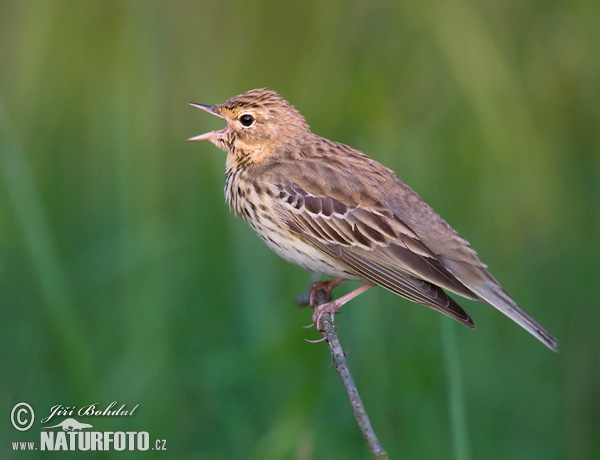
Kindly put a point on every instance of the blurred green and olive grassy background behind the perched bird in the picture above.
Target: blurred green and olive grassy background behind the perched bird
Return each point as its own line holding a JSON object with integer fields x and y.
{"x": 124, "y": 277}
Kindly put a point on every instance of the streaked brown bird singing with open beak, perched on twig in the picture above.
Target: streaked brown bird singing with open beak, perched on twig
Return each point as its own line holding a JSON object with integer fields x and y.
{"x": 333, "y": 210}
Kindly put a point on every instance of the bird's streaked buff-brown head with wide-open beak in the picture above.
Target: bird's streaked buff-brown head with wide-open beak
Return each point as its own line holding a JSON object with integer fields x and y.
{"x": 259, "y": 123}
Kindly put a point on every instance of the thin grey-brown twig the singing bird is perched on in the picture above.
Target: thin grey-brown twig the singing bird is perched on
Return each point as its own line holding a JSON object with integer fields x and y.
{"x": 339, "y": 358}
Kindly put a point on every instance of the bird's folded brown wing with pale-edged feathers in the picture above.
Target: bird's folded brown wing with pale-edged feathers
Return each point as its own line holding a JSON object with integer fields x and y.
{"x": 376, "y": 245}
